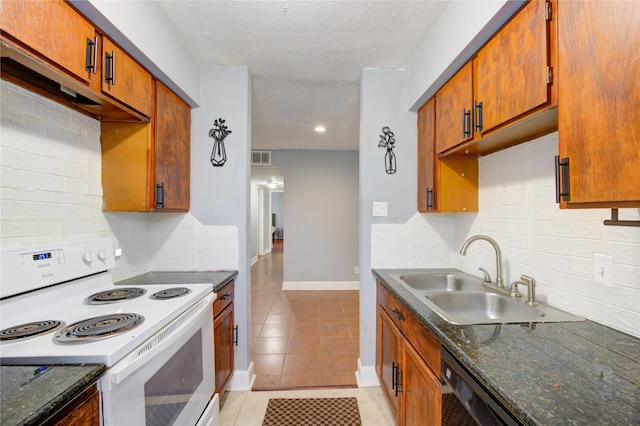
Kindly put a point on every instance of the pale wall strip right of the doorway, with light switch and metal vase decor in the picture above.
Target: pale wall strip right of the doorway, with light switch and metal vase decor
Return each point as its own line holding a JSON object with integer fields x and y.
{"x": 383, "y": 102}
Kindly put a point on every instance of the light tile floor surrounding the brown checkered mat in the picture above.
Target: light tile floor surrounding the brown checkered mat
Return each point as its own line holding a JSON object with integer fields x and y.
{"x": 248, "y": 408}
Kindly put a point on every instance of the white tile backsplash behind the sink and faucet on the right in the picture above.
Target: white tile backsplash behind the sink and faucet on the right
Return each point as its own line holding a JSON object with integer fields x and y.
{"x": 537, "y": 238}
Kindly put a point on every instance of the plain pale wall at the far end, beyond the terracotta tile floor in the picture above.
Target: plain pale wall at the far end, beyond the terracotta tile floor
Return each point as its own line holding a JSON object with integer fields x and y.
{"x": 321, "y": 211}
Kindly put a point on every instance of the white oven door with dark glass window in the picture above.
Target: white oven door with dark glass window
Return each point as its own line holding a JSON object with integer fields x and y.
{"x": 169, "y": 380}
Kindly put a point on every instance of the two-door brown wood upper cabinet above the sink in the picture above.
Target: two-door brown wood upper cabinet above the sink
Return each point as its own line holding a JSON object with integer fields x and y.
{"x": 506, "y": 94}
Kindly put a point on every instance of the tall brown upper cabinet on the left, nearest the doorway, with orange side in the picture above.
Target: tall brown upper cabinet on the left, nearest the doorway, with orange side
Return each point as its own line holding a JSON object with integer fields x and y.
{"x": 146, "y": 166}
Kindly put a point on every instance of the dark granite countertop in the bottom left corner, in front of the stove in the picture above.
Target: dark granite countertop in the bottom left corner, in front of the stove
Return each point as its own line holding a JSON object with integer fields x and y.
{"x": 30, "y": 394}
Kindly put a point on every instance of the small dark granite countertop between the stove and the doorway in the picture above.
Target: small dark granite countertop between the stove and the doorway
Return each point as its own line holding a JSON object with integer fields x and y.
{"x": 217, "y": 278}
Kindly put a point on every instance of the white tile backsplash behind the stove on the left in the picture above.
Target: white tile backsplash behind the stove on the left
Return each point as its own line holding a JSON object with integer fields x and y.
{"x": 51, "y": 190}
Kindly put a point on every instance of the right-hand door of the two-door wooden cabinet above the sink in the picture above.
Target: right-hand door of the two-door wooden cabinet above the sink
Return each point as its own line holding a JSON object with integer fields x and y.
{"x": 511, "y": 69}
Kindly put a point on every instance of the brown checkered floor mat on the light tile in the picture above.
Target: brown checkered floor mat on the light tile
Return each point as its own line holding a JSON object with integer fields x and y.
{"x": 312, "y": 412}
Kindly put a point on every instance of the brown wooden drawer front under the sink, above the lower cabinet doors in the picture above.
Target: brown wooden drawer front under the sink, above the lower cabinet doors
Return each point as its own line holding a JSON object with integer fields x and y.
{"x": 425, "y": 343}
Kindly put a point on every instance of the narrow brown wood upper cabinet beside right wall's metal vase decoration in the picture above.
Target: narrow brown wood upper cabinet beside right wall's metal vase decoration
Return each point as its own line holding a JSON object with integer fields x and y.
{"x": 444, "y": 184}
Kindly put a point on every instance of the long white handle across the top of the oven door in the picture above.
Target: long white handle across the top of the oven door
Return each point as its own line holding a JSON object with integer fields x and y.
{"x": 160, "y": 340}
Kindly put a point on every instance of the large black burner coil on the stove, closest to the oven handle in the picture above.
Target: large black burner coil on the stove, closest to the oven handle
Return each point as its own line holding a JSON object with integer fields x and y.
{"x": 99, "y": 327}
